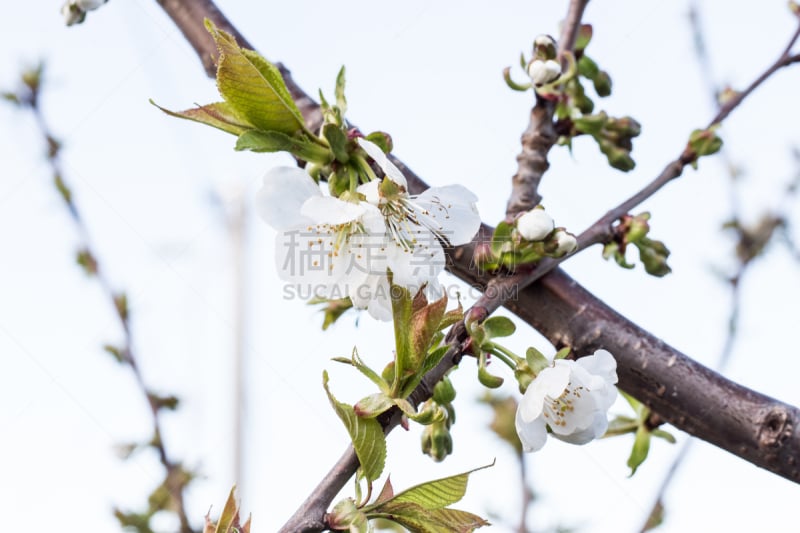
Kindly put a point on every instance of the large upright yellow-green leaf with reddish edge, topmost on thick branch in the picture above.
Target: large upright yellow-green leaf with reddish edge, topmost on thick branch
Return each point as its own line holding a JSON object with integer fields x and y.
{"x": 254, "y": 87}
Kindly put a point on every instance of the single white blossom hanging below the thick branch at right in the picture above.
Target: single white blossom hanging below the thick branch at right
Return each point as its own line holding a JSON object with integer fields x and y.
{"x": 571, "y": 398}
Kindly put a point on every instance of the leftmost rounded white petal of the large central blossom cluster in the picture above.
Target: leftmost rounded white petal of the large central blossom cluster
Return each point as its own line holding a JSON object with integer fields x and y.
{"x": 283, "y": 193}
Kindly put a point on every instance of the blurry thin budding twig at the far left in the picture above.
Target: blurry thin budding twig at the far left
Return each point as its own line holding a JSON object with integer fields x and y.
{"x": 28, "y": 98}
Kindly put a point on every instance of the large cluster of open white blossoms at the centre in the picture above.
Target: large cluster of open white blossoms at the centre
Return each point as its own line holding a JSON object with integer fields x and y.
{"x": 344, "y": 247}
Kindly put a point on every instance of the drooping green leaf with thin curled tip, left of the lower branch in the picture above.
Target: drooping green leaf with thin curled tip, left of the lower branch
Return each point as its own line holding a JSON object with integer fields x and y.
{"x": 365, "y": 433}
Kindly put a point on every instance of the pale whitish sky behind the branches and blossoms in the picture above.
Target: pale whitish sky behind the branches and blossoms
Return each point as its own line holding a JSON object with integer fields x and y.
{"x": 430, "y": 74}
